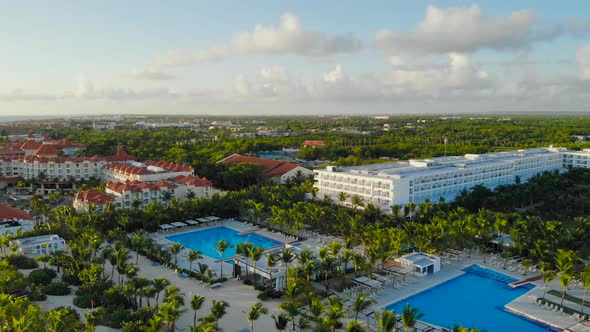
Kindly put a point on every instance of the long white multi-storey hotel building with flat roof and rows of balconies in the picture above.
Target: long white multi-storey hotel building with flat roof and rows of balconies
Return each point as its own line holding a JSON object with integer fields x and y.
{"x": 418, "y": 180}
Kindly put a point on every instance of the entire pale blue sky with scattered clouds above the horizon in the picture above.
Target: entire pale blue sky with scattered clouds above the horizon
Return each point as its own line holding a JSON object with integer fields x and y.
{"x": 293, "y": 57}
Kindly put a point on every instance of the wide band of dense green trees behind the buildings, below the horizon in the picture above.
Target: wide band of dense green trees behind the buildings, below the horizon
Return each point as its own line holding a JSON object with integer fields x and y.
{"x": 406, "y": 138}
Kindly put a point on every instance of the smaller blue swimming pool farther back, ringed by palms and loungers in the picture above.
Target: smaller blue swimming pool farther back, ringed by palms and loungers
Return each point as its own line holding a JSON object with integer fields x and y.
{"x": 205, "y": 239}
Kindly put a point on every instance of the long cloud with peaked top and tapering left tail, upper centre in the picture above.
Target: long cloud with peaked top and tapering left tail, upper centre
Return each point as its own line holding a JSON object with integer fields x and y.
{"x": 290, "y": 37}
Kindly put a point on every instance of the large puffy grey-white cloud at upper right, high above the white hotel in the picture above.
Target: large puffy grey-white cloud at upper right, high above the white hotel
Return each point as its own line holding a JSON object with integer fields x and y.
{"x": 461, "y": 30}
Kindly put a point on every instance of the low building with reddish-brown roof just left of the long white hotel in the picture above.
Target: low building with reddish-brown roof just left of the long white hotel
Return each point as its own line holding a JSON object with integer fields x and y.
{"x": 276, "y": 170}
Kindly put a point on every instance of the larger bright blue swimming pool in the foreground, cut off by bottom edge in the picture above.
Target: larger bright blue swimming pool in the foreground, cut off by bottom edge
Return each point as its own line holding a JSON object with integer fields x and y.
{"x": 473, "y": 299}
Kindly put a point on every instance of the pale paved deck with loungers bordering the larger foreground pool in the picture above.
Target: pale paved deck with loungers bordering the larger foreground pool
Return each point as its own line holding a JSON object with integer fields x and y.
{"x": 523, "y": 305}
